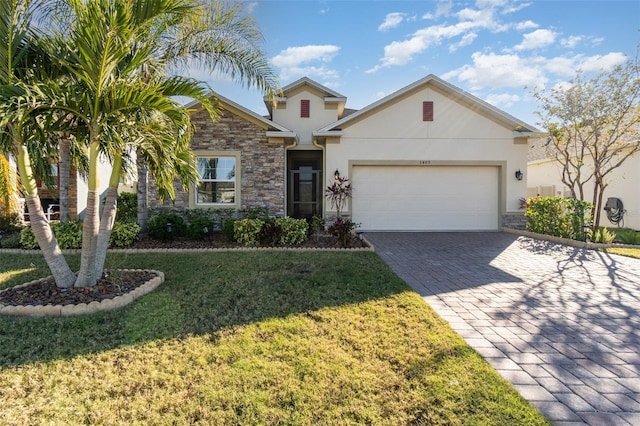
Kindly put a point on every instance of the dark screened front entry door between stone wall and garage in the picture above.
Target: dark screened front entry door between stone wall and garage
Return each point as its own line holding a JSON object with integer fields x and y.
{"x": 305, "y": 184}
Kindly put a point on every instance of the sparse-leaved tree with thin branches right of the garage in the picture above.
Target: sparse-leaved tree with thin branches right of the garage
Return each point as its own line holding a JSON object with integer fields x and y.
{"x": 594, "y": 127}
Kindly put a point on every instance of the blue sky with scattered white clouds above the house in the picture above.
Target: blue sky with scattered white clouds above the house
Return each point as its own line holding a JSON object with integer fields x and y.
{"x": 498, "y": 50}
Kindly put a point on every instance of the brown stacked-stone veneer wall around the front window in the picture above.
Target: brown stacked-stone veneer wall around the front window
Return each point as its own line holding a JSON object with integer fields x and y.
{"x": 262, "y": 164}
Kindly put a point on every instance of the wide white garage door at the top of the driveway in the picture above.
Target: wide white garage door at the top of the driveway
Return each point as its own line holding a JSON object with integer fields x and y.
{"x": 430, "y": 198}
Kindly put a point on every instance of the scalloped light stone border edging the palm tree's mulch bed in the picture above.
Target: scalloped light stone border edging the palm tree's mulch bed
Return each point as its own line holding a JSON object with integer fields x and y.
{"x": 83, "y": 308}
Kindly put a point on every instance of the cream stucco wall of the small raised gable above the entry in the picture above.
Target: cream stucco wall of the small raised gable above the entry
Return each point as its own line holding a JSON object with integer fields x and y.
{"x": 288, "y": 115}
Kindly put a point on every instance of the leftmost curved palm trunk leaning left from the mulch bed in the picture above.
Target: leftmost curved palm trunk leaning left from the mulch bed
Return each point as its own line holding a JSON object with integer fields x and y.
{"x": 62, "y": 274}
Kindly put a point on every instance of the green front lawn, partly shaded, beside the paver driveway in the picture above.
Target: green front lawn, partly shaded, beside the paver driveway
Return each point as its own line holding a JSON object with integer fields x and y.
{"x": 250, "y": 338}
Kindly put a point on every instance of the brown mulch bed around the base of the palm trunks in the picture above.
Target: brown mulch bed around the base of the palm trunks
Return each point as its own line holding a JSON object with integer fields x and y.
{"x": 45, "y": 292}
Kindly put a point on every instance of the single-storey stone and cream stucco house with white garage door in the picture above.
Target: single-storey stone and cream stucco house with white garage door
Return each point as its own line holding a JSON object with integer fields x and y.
{"x": 429, "y": 157}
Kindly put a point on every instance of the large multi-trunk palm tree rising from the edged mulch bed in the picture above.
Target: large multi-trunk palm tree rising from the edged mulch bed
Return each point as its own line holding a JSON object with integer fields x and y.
{"x": 108, "y": 49}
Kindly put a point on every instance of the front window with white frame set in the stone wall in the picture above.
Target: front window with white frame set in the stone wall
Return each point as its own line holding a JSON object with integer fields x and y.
{"x": 217, "y": 183}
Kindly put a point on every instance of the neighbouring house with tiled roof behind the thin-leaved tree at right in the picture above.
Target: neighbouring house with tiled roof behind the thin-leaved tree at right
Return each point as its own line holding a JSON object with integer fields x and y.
{"x": 545, "y": 179}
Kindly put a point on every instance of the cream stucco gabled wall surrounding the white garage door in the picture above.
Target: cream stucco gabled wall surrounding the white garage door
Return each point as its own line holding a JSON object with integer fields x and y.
{"x": 457, "y": 136}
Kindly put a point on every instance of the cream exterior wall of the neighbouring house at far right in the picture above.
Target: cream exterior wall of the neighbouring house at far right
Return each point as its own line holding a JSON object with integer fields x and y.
{"x": 624, "y": 184}
